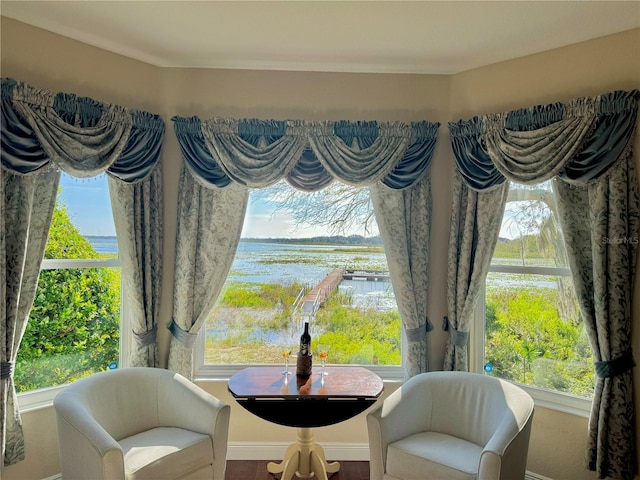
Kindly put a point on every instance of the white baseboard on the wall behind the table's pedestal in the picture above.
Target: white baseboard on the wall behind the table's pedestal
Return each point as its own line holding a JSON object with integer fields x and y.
{"x": 275, "y": 450}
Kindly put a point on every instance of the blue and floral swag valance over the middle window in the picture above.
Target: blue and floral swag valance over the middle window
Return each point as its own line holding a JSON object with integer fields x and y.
{"x": 308, "y": 155}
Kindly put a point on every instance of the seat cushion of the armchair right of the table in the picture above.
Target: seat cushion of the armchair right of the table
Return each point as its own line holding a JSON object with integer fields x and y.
{"x": 445, "y": 457}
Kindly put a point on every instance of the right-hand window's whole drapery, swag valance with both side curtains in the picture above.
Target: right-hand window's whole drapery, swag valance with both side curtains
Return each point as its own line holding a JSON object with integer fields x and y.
{"x": 585, "y": 146}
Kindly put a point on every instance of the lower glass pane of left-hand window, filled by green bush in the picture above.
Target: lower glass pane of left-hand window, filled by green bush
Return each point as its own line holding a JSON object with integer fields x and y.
{"x": 73, "y": 328}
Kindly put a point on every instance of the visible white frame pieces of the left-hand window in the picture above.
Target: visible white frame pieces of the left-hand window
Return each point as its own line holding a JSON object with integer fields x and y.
{"x": 43, "y": 397}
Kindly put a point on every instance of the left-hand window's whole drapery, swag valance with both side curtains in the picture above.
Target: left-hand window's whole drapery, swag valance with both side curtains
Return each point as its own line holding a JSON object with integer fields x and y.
{"x": 45, "y": 133}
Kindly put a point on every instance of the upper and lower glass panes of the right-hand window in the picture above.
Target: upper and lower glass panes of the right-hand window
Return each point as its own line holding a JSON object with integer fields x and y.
{"x": 534, "y": 332}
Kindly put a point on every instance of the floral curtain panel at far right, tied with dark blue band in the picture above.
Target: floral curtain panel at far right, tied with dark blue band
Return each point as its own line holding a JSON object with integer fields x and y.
{"x": 601, "y": 226}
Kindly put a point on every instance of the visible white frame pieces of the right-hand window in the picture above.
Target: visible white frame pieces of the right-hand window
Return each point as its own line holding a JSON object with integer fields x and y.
{"x": 554, "y": 400}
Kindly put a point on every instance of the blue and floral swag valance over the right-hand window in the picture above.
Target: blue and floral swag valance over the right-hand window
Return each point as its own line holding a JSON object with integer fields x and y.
{"x": 576, "y": 141}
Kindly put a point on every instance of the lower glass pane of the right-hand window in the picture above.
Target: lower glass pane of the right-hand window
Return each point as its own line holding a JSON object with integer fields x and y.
{"x": 535, "y": 334}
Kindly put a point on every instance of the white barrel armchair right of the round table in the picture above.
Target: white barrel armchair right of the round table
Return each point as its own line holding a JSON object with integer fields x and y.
{"x": 450, "y": 426}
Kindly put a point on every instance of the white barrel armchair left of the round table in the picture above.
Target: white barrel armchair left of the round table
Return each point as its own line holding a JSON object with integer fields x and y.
{"x": 140, "y": 423}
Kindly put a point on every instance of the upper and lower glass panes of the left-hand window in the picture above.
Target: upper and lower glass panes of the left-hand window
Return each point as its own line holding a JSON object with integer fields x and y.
{"x": 74, "y": 325}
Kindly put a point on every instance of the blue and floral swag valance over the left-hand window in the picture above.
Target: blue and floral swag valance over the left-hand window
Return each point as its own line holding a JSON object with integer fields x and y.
{"x": 78, "y": 135}
